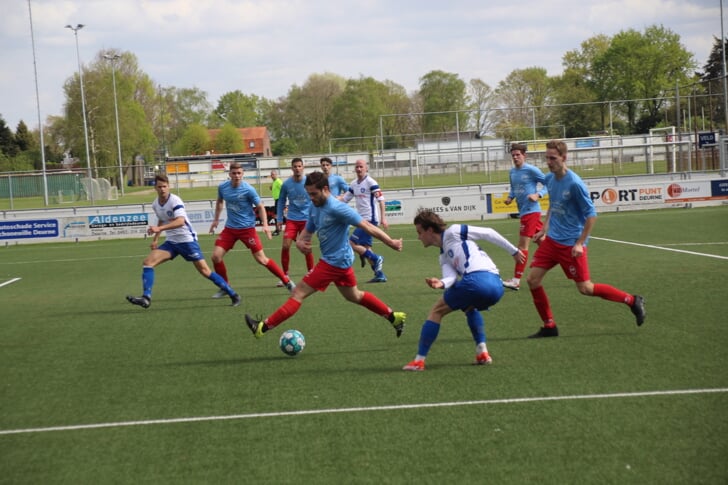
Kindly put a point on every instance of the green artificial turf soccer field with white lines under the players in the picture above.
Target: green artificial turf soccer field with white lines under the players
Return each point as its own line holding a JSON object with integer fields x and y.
{"x": 95, "y": 390}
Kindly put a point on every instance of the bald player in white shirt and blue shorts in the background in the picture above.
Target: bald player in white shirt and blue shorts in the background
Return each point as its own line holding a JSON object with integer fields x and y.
{"x": 370, "y": 205}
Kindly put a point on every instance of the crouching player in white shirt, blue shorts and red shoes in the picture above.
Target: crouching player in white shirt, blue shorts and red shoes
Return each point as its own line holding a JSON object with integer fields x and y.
{"x": 469, "y": 277}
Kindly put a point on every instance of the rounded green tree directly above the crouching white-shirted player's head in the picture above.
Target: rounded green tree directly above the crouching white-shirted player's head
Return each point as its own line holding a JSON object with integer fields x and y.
{"x": 442, "y": 93}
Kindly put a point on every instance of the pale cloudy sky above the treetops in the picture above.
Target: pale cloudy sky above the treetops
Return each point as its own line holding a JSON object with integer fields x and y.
{"x": 264, "y": 47}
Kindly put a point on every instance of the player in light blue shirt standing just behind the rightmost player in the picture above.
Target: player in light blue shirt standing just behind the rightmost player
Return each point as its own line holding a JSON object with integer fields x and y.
{"x": 525, "y": 180}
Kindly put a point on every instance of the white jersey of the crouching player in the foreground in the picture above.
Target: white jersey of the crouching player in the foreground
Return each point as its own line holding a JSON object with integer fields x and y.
{"x": 459, "y": 255}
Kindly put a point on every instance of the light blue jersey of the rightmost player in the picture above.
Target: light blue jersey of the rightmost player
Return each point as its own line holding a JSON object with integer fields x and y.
{"x": 569, "y": 208}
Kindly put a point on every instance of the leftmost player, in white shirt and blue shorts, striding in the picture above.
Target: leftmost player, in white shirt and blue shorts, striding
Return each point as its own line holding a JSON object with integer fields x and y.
{"x": 181, "y": 240}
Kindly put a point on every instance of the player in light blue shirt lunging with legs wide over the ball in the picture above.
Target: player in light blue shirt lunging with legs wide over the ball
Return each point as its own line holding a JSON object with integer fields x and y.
{"x": 331, "y": 218}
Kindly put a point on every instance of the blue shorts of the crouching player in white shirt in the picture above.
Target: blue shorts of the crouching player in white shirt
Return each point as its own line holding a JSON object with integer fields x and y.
{"x": 481, "y": 289}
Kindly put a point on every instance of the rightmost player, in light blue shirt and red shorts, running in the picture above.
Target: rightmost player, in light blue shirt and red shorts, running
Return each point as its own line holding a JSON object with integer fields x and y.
{"x": 563, "y": 241}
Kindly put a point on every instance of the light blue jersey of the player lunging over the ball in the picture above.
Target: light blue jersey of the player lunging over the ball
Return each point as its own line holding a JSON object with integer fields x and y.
{"x": 332, "y": 221}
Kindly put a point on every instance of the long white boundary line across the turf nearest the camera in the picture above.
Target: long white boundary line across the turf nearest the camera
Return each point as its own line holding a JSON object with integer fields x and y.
{"x": 361, "y": 409}
